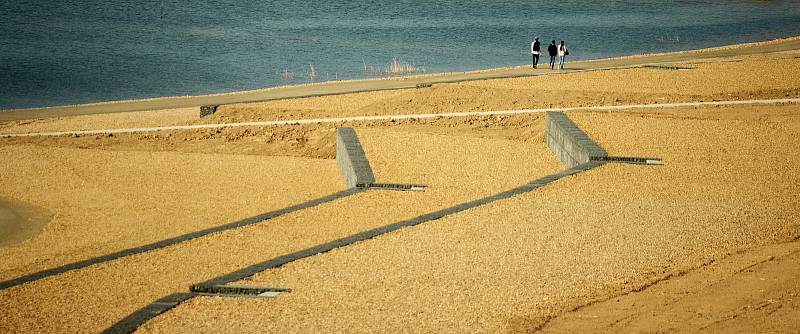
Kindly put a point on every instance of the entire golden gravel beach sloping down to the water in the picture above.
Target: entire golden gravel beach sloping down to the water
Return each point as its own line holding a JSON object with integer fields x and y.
{"x": 706, "y": 242}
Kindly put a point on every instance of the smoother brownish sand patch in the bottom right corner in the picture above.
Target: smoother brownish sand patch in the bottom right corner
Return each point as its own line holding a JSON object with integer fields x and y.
{"x": 749, "y": 292}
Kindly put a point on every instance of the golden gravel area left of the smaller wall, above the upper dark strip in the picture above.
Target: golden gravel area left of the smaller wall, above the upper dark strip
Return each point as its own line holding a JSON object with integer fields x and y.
{"x": 103, "y": 201}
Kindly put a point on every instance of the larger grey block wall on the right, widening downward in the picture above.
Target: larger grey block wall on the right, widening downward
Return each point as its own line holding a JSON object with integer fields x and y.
{"x": 568, "y": 142}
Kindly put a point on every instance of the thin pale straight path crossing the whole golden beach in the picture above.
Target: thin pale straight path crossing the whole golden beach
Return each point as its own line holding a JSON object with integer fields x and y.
{"x": 401, "y": 117}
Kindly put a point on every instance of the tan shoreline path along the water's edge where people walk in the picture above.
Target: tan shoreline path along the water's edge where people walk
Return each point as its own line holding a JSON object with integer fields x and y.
{"x": 390, "y": 83}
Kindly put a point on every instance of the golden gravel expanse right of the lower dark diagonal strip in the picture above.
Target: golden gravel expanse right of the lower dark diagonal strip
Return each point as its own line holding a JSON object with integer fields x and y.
{"x": 511, "y": 265}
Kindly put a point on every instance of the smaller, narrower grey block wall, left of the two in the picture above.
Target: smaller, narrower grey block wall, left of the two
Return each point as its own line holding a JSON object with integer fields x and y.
{"x": 351, "y": 158}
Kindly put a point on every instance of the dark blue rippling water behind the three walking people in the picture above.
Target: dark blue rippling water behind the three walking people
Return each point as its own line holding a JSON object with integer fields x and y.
{"x": 78, "y": 51}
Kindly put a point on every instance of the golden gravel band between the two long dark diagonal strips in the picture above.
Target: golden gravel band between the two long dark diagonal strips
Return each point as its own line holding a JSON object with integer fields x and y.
{"x": 396, "y": 157}
